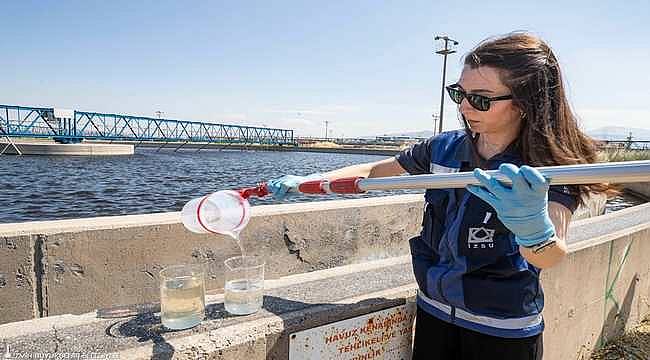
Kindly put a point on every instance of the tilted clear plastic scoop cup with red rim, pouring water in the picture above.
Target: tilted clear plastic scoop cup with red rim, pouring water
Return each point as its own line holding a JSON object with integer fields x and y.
{"x": 223, "y": 212}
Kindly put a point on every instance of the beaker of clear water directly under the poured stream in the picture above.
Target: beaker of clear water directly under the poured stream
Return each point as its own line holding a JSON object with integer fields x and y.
{"x": 244, "y": 288}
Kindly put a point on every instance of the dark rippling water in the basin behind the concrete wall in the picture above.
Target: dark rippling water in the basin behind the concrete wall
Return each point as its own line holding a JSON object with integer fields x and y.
{"x": 34, "y": 188}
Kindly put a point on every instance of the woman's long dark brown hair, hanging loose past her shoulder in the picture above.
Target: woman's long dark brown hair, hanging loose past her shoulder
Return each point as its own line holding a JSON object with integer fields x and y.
{"x": 549, "y": 134}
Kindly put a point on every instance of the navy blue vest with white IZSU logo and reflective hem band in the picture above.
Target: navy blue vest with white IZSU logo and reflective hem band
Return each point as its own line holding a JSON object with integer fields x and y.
{"x": 466, "y": 262}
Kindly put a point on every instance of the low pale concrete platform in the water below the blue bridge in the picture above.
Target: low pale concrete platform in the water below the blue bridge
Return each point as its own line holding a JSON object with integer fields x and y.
{"x": 52, "y": 148}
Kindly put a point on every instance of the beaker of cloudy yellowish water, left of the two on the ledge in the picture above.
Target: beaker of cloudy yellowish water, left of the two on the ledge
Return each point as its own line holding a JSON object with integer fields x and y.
{"x": 182, "y": 296}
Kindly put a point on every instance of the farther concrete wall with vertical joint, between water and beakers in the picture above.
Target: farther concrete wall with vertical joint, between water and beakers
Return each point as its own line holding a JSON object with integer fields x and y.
{"x": 85, "y": 264}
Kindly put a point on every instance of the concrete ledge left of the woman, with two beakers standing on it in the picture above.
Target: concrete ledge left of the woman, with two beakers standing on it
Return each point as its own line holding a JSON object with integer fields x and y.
{"x": 291, "y": 304}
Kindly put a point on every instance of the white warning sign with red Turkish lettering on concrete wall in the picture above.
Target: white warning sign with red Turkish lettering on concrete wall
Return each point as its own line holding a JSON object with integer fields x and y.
{"x": 385, "y": 334}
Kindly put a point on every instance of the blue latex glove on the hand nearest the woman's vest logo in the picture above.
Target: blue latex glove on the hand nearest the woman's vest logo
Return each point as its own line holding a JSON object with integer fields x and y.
{"x": 523, "y": 208}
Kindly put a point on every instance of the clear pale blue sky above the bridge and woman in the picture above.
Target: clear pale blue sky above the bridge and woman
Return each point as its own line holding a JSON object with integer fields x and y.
{"x": 364, "y": 67}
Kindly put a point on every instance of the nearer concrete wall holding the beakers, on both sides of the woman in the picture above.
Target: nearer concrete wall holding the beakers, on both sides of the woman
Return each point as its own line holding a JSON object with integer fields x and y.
{"x": 601, "y": 289}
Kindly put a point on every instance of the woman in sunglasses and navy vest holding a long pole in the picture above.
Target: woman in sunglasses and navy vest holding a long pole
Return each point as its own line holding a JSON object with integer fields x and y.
{"x": 478, "y": 258}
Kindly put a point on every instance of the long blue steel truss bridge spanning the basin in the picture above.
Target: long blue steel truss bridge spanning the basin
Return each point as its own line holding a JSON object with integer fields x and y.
{"x": 70, "y": 126}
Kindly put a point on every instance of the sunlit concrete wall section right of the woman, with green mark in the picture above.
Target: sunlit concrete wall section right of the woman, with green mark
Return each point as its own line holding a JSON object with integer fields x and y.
{"x": 602, "y": 288}
